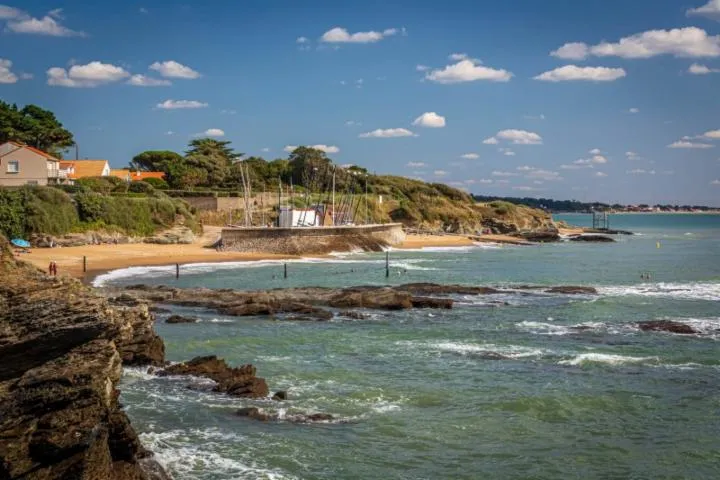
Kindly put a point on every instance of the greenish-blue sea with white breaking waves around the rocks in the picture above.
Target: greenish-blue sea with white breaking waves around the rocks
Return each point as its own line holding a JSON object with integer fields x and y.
{"x": 513, "y": 386}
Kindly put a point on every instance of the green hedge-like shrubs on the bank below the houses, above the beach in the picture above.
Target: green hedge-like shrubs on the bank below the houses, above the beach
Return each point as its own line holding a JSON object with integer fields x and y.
{"x": 46, "y": 210}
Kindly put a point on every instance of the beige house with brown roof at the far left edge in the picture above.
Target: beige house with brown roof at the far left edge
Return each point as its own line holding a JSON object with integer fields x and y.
{"x": 24, "y": 165}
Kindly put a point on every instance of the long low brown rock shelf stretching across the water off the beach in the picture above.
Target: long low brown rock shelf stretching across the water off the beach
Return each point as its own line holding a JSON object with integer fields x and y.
{"x": 307, "y": 303}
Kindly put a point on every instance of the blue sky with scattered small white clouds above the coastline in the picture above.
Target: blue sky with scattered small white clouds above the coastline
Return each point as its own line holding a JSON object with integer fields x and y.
{"x": 599, "y": 100}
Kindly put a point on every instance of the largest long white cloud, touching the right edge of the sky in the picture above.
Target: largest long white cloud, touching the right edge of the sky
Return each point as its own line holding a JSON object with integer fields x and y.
{"x": 690, "y": 42}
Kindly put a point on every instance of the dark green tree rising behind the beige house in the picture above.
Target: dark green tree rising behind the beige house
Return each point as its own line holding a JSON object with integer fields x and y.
{"x": 34, "y": 126}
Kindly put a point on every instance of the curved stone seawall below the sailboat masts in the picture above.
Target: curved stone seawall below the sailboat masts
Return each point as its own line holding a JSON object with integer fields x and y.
{"x": 313, "y": 240}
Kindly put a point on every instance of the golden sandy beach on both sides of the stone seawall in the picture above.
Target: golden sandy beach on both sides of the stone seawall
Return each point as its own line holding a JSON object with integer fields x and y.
{"x": 103, "y": 258}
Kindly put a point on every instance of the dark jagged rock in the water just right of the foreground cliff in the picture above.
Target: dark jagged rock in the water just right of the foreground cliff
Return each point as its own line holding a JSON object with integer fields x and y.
{"x": 238, "y": 381}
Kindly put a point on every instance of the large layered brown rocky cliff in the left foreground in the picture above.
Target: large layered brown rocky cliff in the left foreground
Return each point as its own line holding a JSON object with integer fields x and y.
{"x": 62, "y": 349}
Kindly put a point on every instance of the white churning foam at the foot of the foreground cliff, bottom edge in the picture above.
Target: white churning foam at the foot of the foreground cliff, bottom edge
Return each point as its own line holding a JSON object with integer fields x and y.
{"x": 186, "y": 457}
